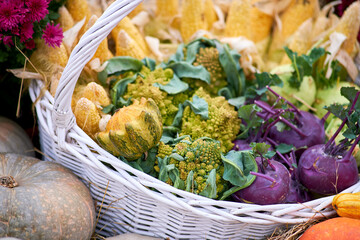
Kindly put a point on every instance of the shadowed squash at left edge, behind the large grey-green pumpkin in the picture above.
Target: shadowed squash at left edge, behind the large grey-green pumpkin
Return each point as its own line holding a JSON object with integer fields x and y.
{"x": 14, "y": 139}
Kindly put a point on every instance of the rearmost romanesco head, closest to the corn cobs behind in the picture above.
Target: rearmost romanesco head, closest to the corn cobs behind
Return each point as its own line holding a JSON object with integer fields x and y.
{"x": 209, "y": 58}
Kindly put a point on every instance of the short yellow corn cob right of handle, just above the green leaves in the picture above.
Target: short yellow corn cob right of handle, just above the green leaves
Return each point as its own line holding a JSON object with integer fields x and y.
{"x": 126, "y": 46}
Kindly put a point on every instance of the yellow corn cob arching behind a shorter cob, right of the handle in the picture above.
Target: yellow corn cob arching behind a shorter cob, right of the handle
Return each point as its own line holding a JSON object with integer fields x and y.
{"x": 134, "y": 33}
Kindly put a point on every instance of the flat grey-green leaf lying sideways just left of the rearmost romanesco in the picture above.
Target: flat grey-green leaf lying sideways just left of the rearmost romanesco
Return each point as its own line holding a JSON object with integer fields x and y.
{"x": 186, "y": 70}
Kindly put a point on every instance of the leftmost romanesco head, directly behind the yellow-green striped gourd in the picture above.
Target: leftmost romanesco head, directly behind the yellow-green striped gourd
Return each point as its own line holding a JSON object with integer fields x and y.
{"x": 143, "y": 87}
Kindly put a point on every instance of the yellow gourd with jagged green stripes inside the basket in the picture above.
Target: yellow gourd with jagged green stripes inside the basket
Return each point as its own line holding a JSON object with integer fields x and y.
{"x": 132, "y": 130}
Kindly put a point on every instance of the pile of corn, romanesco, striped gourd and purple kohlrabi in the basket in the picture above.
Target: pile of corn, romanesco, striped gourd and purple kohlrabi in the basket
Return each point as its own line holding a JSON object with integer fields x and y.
{"x": 247, "y": 101}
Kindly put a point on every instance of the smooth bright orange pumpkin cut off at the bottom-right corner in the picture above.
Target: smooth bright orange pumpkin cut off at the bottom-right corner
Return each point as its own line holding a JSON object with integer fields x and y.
{"x": 338, "y": 228}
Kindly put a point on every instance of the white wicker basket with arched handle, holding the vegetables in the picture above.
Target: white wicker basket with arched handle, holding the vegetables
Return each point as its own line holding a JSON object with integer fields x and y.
{"x": 126, "y": 203}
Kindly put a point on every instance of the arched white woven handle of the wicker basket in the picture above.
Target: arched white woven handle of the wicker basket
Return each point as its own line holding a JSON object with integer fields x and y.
{"x": 62, "y": 114}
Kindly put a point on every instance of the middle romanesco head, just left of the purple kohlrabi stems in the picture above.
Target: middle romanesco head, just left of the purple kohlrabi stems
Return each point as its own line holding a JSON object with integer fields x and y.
{"x": 222, "y": 124}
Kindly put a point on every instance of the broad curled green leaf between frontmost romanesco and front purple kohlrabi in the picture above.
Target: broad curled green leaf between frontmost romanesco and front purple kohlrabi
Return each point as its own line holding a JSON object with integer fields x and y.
{"x": 237, "y": 168}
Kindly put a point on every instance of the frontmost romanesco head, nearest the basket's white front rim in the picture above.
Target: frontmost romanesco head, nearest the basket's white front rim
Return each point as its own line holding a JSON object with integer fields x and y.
{"x": 194, "y": 161}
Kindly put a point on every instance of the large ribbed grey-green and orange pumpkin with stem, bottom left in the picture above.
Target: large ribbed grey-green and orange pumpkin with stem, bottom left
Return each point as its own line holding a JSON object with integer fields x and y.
{"x": 43, "y": 200}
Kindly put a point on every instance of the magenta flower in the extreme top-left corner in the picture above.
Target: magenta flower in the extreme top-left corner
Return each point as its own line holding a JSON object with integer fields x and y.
{"x": 11, "y": 14}
